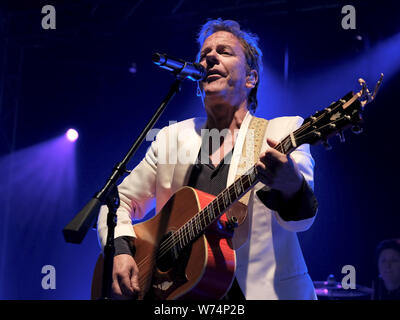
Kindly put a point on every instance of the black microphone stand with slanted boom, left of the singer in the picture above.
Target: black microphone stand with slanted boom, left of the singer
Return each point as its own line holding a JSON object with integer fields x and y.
{"x": 77, "y": 228}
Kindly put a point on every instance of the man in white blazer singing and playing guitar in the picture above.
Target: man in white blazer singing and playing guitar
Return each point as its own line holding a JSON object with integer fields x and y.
{"x": 269, "y": 264}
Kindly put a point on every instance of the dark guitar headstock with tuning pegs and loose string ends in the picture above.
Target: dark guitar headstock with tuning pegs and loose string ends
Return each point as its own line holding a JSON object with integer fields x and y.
{"x": 338, "y": 117}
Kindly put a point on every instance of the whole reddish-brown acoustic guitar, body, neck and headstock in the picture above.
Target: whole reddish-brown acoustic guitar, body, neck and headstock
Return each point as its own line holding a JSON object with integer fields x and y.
{"x": 185, "y": 251}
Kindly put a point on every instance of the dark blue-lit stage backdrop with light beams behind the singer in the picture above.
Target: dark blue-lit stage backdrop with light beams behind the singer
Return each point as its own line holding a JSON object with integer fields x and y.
{"x": 78, "y": 76}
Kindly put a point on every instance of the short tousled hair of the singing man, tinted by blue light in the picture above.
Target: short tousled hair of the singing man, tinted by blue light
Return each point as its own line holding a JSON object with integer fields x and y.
{"x": 249, "y": 42}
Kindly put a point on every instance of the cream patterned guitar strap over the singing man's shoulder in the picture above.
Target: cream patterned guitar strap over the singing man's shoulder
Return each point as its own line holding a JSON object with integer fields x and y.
{"x": 250, "y": 154}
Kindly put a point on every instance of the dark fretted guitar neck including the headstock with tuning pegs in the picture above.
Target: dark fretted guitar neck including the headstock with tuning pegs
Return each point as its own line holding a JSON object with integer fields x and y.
{"x": 318, "y": 128}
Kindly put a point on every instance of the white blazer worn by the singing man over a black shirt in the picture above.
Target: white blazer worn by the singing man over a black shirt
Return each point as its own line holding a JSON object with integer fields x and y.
{"x": 270, "y": 265}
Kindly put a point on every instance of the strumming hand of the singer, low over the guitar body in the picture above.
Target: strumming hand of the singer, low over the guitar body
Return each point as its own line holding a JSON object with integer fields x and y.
{"x": 125, "y": 277}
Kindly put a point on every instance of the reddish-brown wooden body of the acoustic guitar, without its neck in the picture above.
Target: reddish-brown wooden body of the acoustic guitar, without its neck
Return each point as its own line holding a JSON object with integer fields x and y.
{"x": 204, "y": 269}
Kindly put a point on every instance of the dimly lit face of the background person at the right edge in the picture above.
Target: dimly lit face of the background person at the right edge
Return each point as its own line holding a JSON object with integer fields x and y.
{"x": 389, "y": 266}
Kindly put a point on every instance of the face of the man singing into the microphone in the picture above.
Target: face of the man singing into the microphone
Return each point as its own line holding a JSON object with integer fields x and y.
{"x": 223, "y": 57}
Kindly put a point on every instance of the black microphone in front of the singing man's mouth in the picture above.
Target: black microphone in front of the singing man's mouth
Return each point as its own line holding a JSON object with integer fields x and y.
{"x": 193, "y": 71}
